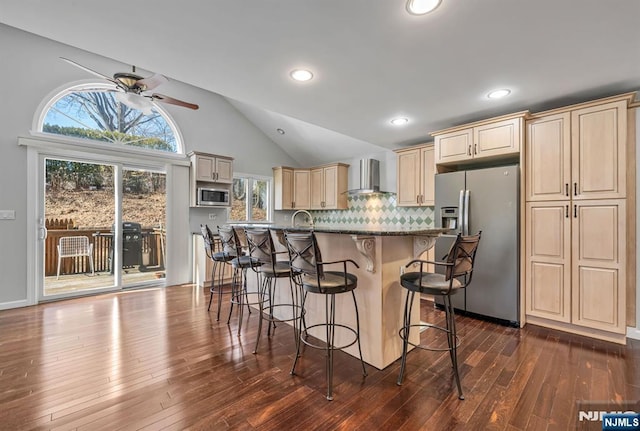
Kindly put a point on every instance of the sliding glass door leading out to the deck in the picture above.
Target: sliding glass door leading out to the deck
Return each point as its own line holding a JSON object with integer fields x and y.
{"x": 102, "y": 227}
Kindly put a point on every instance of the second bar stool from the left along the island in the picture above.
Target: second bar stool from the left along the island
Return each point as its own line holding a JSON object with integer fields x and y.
{"x": 239, "y": 295}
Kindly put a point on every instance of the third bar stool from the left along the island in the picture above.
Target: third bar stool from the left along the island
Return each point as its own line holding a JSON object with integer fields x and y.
{"x": 262, "y": 249}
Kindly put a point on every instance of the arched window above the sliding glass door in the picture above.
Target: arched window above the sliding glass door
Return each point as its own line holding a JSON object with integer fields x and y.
{"x": 97, "y": 112}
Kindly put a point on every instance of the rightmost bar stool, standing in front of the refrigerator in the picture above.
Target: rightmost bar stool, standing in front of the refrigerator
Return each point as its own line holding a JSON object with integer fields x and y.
{"x": 458, "y": 266}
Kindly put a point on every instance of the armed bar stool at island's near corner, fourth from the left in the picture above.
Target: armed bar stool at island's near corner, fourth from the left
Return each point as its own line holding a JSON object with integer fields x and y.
{"x": 310, "y": 276}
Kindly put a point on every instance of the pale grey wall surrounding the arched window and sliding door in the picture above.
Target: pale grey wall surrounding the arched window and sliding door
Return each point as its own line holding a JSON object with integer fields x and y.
{"x": 31, "y": 70}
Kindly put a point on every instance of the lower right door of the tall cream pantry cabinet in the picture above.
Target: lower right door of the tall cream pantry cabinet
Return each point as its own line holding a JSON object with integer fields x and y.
{"x": 598, "y": 266}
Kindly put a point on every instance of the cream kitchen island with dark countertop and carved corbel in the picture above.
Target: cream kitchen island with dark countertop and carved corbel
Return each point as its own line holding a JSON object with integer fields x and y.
{"x": 380, "y": 254}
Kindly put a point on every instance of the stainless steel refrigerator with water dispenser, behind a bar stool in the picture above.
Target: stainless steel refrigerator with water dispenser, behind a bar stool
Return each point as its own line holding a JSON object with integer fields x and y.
{"x": 484, "y": 200}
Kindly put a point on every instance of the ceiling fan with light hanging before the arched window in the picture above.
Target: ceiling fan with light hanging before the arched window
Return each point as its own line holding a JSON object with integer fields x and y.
{"x": 131, "y": 89}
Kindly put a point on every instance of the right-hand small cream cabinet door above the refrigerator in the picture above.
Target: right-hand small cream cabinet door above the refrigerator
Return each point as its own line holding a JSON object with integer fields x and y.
{"x": 497, "y": 139}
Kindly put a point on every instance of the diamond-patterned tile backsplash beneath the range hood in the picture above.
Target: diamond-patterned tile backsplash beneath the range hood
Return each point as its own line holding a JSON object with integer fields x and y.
{"x": 379, "y": 211}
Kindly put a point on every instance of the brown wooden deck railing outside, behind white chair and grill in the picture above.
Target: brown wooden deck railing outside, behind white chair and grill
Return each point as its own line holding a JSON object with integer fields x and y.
{"x": 102, "y": 240}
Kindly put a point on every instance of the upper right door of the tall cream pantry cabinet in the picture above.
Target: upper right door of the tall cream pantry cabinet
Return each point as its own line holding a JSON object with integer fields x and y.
{"x": 598, "y": 152}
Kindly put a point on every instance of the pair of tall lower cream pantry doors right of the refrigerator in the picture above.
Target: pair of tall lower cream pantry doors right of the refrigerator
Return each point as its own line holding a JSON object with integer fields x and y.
{"x": 575, "y": 265}
